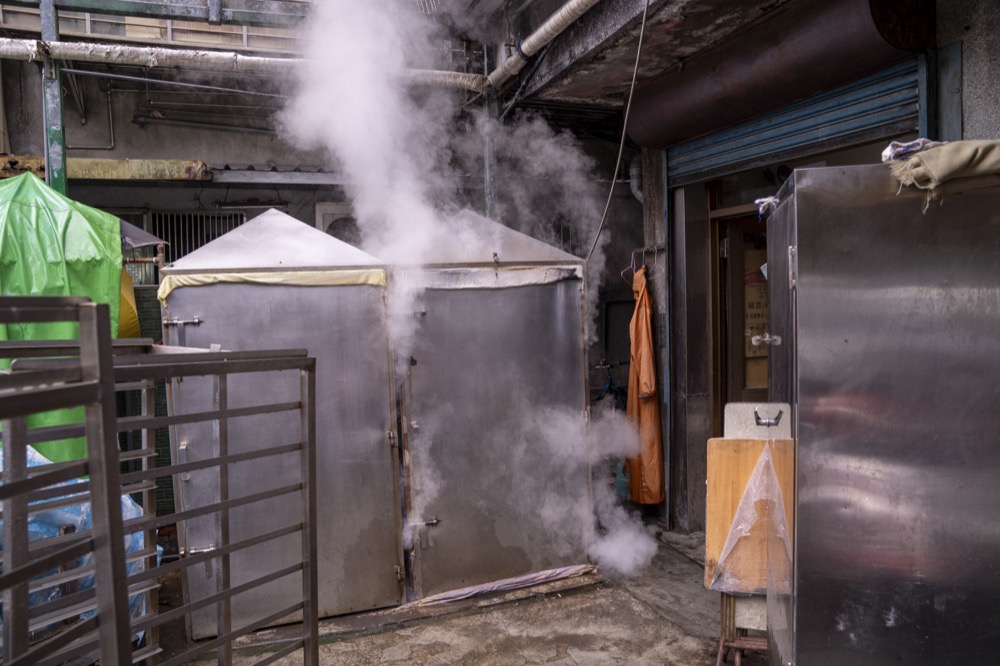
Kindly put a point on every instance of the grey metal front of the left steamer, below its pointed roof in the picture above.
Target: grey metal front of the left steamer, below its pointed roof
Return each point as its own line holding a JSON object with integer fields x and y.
{"x": 344, "y": 327}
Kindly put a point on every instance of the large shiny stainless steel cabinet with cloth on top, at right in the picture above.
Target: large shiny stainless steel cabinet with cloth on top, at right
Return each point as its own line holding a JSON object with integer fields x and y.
{"x": 889, "y": 352}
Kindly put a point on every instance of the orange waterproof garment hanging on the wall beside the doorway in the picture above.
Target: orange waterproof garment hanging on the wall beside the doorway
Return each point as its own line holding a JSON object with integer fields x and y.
{"x": 643, "y": 408}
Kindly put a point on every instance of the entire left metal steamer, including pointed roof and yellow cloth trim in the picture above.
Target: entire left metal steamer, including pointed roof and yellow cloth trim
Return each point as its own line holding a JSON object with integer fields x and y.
{"x": 276, "y": 283}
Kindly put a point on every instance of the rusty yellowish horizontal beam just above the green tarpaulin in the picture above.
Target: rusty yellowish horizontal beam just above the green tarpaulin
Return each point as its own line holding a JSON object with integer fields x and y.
{"x": 83, "y": 168}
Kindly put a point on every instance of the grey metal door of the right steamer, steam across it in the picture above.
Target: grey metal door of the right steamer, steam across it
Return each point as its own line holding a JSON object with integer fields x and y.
{"x": 491, "y": 371}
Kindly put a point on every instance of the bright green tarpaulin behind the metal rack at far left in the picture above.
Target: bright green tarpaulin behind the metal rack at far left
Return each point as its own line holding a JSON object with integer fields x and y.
{"x": 53, "y": 246}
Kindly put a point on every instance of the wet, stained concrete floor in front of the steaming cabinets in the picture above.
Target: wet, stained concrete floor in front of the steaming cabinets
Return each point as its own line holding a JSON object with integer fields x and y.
{"x": 664, "y": 616}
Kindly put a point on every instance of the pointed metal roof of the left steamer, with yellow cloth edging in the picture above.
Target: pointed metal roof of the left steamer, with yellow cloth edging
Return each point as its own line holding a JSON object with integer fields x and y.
{"x": 273, "y": 248}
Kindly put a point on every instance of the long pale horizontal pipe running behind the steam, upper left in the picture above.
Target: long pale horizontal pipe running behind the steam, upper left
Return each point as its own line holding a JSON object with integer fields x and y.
{"x": 144, "y": 56}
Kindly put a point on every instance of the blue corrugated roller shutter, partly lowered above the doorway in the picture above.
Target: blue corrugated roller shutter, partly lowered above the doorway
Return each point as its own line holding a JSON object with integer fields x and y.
{"x": 880, "y": 105}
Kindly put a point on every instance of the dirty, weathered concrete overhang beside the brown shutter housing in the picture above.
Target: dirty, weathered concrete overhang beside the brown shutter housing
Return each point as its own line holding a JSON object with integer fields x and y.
{"x": 590, "y": 65}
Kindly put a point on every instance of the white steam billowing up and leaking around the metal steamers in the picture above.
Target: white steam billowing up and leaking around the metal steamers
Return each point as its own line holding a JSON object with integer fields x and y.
{"x": 408, "y": 156}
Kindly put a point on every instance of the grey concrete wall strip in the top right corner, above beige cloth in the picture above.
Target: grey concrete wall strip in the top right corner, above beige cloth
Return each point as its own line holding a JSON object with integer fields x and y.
{"x": 976, "y": 25}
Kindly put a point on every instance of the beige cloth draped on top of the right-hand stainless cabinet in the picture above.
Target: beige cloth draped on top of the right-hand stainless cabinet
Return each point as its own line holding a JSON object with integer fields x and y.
{"x": 949, "y": 168}
